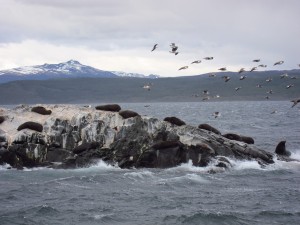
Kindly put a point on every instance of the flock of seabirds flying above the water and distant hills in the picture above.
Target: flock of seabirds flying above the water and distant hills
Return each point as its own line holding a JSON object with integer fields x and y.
{"x": 174, "y": 50}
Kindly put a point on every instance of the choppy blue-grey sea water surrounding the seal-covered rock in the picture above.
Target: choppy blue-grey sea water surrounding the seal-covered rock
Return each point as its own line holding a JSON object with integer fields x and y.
{"x": 103, "y": 194}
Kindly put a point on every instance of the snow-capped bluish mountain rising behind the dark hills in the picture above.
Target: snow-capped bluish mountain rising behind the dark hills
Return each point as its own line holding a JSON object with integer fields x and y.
{"x": 69, "y": 69}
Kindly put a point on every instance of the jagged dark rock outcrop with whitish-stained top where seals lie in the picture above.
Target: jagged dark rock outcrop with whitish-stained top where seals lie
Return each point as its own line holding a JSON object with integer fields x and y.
{"x": 77, "y": 137}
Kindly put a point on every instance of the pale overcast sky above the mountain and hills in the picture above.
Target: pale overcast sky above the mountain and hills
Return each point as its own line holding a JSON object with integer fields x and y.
{"x": 119, "y": 34}
